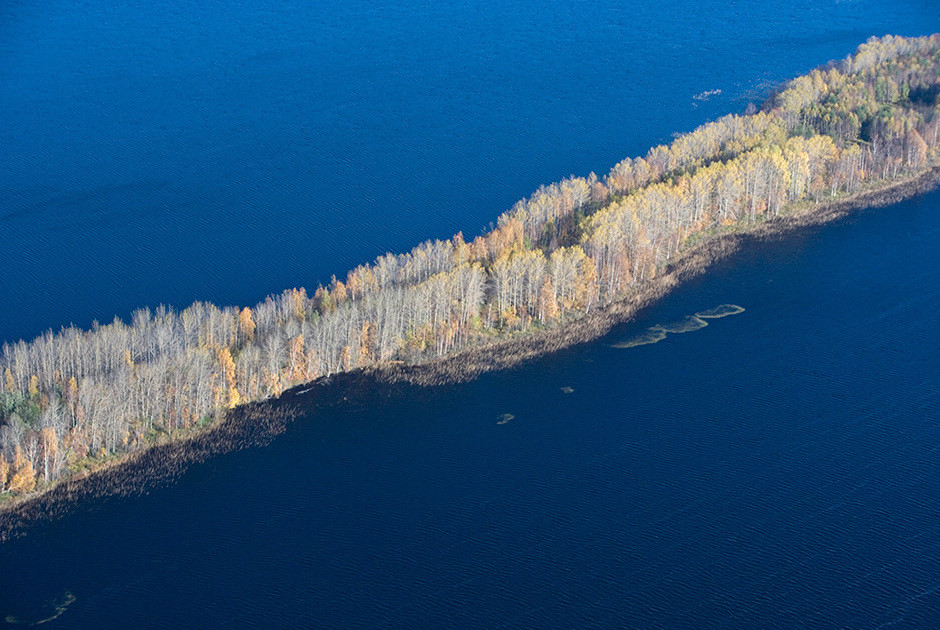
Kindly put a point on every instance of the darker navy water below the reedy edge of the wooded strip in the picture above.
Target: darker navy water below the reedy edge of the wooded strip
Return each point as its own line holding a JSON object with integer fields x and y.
{"x": 777, "y": 468}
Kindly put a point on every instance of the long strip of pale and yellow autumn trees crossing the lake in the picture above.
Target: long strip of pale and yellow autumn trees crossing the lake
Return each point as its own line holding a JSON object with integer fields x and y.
{"x": 74, "y": 398}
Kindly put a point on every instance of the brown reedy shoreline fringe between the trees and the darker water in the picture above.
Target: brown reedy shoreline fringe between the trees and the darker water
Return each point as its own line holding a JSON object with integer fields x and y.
{"x": 258, "y": 423}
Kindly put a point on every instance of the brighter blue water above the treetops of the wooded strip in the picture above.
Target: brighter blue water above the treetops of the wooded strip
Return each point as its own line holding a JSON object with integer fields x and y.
{"x": 164, "y": 152}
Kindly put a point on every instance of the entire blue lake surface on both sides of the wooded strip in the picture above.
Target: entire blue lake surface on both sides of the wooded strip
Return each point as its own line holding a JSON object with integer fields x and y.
{"x": 776, "y": 468}
